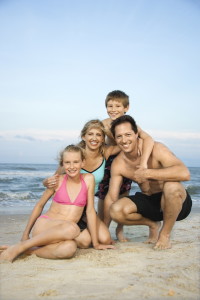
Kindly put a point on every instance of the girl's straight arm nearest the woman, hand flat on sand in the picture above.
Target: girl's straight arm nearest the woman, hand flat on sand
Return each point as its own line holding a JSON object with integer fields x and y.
{"x": 91, "y": 214}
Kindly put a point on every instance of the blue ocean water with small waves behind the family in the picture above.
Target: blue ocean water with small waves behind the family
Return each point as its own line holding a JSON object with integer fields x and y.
{"x": 21, "y": 186}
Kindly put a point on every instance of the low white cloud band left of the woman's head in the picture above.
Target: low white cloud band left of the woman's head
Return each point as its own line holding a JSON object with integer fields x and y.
{"x": 39, "y": 135}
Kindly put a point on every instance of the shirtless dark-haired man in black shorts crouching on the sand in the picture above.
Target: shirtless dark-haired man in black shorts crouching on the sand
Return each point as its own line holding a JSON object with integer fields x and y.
{"x": 162, "y": 195}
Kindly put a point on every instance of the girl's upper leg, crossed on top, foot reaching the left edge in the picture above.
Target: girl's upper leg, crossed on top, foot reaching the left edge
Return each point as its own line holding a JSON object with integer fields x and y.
{"x": 56, "y": 234}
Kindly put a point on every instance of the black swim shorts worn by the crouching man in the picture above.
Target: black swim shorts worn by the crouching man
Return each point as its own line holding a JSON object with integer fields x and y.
{"x": 149, "y": 206}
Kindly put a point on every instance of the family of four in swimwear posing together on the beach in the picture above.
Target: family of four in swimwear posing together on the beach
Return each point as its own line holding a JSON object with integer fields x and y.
{"x": 111, "y": 155}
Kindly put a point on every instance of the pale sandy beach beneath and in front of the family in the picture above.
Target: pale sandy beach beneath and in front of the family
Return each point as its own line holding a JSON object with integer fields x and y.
{"x": 132, "y": 271}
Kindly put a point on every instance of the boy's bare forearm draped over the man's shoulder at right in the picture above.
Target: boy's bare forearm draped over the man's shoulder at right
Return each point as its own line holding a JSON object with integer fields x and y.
{"x": 147, "y": 147}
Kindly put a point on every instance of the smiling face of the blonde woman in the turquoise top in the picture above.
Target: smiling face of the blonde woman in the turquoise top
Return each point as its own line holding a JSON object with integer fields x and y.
{"x": 94, "y": 138}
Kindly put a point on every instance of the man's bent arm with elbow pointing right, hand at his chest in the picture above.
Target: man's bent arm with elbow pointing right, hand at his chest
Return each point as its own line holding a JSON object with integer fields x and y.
{"x": 171, "y": 168}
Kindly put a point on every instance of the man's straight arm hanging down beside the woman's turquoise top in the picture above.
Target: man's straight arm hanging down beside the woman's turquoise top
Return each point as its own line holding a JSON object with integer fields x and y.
{"x": 113, "y": 192}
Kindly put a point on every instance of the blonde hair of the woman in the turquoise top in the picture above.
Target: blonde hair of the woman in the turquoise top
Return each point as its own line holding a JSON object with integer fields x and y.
{"x": 97, "y": 124}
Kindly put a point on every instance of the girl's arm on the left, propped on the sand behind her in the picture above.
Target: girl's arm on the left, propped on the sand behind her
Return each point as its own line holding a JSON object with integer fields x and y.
{"x": 36, "y": 212}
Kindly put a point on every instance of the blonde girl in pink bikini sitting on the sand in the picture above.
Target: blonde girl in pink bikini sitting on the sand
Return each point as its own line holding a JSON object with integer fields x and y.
{"x": 56, "y": 233}
